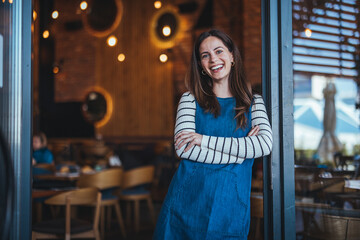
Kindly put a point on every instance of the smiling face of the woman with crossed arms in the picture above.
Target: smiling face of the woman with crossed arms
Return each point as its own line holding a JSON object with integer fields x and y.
{"x": 215, "y": 58}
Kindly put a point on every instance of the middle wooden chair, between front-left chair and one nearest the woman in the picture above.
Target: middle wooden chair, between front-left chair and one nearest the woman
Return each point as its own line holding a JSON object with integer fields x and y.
{"x": 106, "y": 181}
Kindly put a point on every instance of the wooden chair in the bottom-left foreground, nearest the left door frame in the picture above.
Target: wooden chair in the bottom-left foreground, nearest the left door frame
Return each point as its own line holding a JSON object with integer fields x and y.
{"x": 69, "y": 227}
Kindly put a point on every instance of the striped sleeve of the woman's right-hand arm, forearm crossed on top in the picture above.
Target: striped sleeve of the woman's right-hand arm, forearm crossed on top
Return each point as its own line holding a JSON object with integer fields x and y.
{"x": 246, "y": 147}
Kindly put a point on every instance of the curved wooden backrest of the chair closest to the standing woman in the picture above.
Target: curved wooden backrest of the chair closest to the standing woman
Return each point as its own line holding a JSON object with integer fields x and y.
{"x": 138, "y": 176}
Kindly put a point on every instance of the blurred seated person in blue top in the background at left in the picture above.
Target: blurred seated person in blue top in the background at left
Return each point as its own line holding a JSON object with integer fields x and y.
{"x": 41, "y": 154}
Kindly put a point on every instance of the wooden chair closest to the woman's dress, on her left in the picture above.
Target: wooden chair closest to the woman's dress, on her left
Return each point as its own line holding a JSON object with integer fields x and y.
{"x": 131, "y": 192}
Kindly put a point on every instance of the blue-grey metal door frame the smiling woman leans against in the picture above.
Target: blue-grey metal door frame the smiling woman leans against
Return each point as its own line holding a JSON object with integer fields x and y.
{"x": 277, "y": 75}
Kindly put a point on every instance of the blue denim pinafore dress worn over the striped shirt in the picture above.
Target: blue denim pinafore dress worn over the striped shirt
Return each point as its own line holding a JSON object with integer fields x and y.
{"x": 209, "y": 201}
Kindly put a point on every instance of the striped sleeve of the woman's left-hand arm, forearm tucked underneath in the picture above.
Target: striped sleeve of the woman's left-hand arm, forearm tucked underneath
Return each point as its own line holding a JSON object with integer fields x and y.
{"x": 185, "y": 121}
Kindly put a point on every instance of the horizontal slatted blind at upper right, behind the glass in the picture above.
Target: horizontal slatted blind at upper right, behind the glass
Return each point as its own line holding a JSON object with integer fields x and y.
{"x": 326, "y": 38}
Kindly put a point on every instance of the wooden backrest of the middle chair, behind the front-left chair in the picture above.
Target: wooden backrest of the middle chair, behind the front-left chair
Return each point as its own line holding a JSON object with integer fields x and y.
{"x": 108, "y": 178}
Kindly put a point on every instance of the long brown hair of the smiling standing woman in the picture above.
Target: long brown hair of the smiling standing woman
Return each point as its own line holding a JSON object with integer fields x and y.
{"x": 201, "y": 86}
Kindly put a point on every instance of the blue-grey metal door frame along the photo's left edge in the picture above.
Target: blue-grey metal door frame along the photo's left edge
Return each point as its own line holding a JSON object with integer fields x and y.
{"x": 19, "y": 137}
